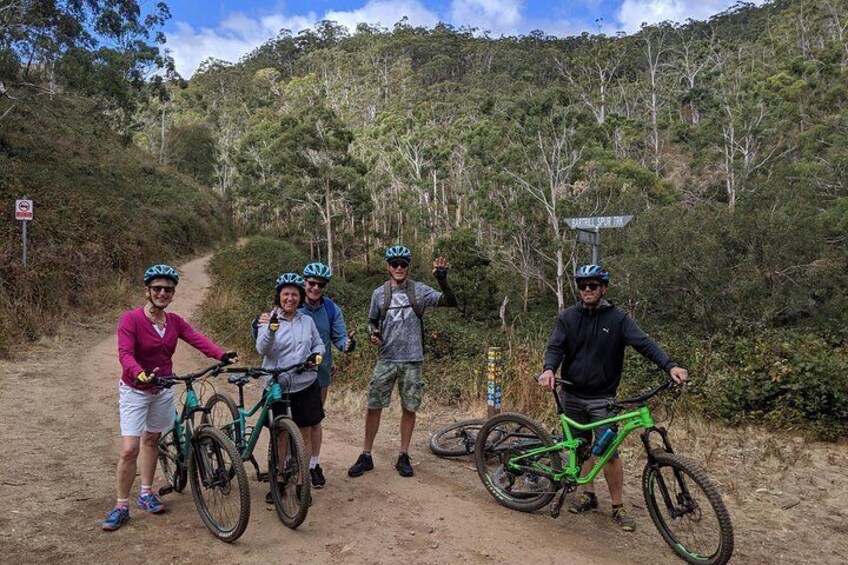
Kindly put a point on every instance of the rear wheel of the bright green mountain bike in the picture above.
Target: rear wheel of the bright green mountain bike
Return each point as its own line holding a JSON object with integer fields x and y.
{"x": 507, "y": 438}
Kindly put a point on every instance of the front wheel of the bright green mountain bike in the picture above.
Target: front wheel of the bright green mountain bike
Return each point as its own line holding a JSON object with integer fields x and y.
{"x": 687, "y": 509}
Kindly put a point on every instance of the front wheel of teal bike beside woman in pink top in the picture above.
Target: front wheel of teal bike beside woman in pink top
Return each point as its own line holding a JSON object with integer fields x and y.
{"x": 219, "y": 484}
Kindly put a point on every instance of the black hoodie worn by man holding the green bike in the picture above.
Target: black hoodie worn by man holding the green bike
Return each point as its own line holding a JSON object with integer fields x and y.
{"x": 589, "y": 344}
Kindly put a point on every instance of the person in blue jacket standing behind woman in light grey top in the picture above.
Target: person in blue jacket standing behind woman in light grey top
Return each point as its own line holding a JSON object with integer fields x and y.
{"x": 329, "y": 320}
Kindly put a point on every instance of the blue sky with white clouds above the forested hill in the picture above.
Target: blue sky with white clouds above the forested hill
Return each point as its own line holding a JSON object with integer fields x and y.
{"x": 229, "y": 29}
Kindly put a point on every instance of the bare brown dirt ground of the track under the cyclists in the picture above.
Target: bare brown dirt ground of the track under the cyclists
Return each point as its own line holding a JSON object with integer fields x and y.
{"x": 59, "y": 443}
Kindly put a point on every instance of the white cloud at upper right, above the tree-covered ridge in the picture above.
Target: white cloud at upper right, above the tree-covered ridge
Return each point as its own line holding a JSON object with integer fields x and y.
{"x": 633, "y": 13}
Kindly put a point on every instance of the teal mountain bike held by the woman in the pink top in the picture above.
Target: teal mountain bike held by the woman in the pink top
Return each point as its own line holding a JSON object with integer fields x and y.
{"x": 209, "y": 459}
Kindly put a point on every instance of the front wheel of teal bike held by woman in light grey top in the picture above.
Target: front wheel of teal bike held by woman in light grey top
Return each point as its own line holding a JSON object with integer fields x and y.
{"x": 291, "y": 495}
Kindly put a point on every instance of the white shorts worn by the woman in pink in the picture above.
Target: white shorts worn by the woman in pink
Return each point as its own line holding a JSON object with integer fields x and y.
{"x": 145, "y": 412}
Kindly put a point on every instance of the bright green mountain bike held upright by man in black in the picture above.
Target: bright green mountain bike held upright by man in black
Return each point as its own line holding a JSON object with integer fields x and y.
{"x": 522, "y": 467}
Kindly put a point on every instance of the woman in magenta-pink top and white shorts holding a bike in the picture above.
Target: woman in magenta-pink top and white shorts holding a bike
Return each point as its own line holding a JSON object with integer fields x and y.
{"x": 147, "y": 339}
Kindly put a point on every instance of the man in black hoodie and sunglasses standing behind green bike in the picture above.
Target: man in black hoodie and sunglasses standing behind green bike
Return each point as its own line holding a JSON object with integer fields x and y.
{"x": 588, "y": 342}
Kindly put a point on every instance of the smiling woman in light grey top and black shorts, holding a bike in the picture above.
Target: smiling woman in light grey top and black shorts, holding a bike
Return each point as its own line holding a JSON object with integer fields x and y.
{"x": 290, "y": 338}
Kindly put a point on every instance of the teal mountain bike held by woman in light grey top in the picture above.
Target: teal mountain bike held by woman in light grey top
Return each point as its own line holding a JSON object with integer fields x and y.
{"x": 288, "y": 469}
